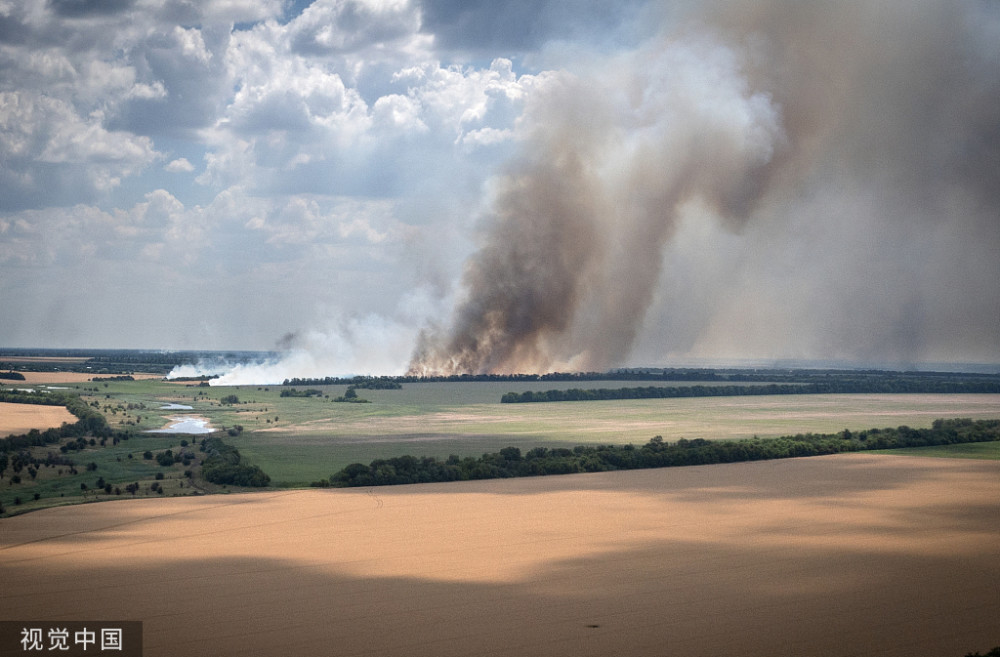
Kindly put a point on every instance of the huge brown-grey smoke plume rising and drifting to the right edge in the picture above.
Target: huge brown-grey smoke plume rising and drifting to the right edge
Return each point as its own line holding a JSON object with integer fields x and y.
{"x": 854, "y": 149}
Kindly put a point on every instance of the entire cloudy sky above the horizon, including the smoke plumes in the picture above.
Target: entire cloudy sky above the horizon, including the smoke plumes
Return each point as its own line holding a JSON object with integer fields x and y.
{"x": 382, "y": 186}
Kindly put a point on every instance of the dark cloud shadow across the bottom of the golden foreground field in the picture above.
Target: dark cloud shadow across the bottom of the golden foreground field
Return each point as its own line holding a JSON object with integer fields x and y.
{"x": 666, "y": 598}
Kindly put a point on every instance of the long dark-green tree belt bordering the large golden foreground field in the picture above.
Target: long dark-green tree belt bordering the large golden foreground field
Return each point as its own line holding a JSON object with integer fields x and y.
{"x": 657, "y": 453}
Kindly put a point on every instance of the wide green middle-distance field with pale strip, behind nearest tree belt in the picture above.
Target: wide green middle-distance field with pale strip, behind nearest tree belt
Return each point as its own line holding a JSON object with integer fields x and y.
{"x": 298, "y": 440}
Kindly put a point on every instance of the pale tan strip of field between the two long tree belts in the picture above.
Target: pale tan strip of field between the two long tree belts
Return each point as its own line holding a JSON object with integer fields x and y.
{"x": 640, "y": 420}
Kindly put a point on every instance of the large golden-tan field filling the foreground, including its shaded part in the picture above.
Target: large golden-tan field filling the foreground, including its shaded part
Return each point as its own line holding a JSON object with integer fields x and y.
{"x": 842, "y": 555}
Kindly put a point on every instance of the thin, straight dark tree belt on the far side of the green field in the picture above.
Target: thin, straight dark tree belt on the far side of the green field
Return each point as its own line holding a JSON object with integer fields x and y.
{"x": 839, "y": 385}
